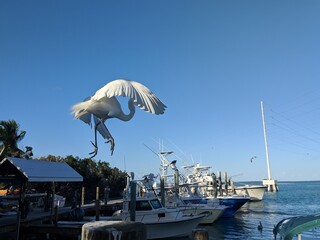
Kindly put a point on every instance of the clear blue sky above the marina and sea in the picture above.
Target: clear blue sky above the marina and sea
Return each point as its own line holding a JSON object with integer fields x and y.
{"x": 211, "y": 62}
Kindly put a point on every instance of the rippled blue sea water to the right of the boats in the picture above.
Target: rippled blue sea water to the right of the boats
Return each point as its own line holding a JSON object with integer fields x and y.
{"x": 292, "y": 199}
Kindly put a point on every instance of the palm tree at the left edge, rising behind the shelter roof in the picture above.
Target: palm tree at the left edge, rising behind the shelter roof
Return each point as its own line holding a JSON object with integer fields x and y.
{"x": 10, "y": 136}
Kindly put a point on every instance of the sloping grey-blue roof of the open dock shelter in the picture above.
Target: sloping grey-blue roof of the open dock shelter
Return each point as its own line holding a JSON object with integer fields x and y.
{"x": 34, "y": 170}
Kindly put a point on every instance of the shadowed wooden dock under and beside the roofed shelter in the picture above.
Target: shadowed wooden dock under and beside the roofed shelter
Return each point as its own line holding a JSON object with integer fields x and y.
{"x": 39, "y": 222}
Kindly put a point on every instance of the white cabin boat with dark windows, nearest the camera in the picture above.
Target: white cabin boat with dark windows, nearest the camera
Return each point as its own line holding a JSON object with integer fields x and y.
{"x": 160, "y": 222}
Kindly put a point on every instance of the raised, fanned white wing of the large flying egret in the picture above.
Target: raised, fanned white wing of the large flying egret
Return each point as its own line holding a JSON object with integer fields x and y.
{"x": 140, "y": 95}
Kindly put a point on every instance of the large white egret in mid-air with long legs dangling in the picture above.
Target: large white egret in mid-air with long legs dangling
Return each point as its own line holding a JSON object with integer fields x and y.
{"x": 104, "y": 105}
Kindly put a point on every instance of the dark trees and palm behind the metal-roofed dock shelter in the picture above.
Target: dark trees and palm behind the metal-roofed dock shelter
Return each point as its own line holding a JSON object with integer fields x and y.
{"x": 94, "y": 173}
